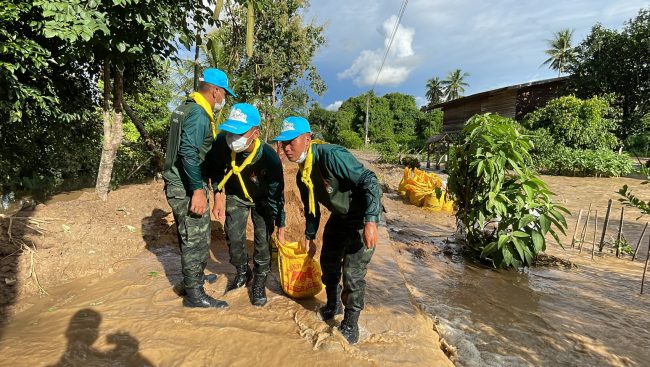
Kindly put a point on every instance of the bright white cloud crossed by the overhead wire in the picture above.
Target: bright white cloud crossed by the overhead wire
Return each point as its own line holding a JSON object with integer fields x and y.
{"x": 400, "y": 62}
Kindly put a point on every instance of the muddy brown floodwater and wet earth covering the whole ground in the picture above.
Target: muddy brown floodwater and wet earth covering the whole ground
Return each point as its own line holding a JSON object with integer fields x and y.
{"x": 110, "y": 269}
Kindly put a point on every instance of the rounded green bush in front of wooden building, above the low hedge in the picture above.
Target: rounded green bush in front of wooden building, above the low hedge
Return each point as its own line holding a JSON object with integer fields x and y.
{"x": 576, "y": 123}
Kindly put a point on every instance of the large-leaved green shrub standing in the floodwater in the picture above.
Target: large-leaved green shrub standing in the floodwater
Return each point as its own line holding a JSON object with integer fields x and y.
{"x": 505, "y": 209}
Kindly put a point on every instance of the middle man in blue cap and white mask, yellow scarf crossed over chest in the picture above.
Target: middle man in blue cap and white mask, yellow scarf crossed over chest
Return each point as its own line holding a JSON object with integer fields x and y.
{"x": 251, "y": 173}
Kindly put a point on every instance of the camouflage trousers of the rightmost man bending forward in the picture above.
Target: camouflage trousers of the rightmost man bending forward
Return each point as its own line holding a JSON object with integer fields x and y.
{"x": 344, "y": 253}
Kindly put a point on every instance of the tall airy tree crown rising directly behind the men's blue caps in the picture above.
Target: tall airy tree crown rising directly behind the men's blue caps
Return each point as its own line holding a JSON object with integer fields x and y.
{"x": 281, "y": 69}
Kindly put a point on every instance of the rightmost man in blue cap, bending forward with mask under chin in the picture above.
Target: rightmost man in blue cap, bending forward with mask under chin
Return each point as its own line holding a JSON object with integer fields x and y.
{"x": 331, "y": 176}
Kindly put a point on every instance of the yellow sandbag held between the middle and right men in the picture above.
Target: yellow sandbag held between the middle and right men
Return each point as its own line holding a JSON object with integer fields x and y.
{"x": 300, "y": 275}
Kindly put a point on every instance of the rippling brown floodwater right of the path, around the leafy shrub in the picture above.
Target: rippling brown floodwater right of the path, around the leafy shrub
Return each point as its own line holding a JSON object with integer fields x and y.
{"x": 587, "y": 315}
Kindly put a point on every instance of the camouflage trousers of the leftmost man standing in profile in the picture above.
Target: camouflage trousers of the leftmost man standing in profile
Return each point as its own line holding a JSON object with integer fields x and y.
{"x": 193, "y": 235}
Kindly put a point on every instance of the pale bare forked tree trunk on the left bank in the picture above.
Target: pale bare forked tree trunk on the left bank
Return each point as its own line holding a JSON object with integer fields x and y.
{"x": 113, "y": 132}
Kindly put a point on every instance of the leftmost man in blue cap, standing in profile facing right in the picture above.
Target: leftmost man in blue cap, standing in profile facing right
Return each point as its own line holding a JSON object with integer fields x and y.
{"x": 191, "y": 134}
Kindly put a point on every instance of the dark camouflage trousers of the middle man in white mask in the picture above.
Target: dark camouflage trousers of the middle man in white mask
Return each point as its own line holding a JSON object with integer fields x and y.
{"x": 237, "y": 212}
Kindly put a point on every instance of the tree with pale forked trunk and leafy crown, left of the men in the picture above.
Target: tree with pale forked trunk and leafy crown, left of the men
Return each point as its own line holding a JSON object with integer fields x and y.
{"x": 120, "y": 42}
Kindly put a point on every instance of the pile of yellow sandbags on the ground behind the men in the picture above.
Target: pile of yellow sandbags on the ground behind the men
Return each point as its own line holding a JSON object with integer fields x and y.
{"x": 425, "y": 190}
